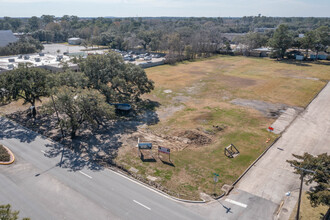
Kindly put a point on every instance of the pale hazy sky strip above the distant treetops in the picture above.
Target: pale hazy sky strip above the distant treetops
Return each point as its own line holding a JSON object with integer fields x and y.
{"x": 169, "y": 8}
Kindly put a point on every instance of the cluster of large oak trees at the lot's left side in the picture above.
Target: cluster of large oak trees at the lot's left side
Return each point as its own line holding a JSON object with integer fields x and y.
{"x": 78, "y": 97}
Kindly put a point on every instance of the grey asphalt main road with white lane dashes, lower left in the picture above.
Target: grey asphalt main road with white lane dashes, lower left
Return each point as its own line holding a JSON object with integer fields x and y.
{"x": 40, "y": 189}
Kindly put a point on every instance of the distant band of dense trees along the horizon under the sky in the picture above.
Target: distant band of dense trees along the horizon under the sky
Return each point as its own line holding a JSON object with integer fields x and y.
{"x": 195, "y": 35}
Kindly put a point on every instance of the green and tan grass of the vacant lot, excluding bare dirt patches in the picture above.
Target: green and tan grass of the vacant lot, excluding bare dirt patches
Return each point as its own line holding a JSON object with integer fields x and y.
{"x": 204, "y": 89}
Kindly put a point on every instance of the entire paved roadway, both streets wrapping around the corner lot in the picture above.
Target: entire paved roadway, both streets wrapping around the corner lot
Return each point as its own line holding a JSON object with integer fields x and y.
{"x": 40, "y": 189}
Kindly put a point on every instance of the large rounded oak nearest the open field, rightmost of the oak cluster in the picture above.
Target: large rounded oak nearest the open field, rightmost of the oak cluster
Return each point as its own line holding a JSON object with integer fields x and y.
{"x": 118, "y": 81}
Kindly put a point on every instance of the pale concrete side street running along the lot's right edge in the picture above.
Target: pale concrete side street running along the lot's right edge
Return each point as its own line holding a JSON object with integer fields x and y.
{"x": 272, "y": 176}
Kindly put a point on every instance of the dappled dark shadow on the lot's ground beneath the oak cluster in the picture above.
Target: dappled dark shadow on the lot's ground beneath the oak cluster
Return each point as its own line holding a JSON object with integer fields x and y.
{"x": 93, "y": 148}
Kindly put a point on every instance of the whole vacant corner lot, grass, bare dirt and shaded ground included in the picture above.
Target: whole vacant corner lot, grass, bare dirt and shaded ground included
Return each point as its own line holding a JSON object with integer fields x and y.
{"x": 202, "y": 107}
